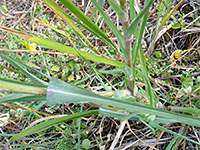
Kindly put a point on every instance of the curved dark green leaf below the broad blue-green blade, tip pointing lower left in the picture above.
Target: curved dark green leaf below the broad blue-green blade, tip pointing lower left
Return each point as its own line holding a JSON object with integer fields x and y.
{"x": 45, "y": 125}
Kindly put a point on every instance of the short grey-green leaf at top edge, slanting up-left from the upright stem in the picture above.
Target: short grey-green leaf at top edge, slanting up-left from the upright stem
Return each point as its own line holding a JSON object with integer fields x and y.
{"x": 117, "y": 9}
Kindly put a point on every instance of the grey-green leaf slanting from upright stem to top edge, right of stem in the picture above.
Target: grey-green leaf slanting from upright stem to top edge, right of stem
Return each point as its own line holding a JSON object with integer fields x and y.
{"x": 136, "y": 20}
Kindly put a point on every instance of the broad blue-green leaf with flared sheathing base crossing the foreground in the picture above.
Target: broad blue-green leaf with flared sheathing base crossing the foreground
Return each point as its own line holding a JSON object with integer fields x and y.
{"x": 60, "y": 92}
